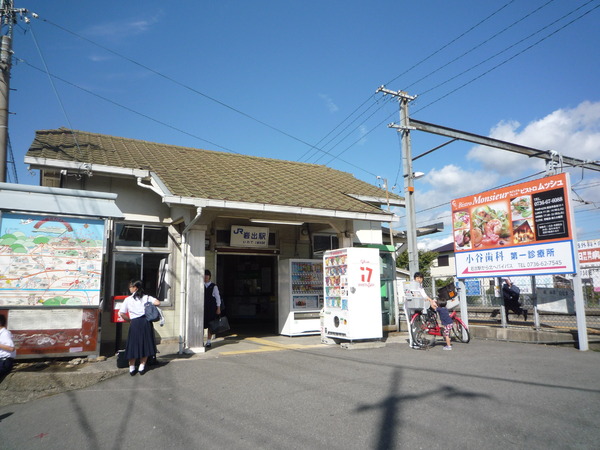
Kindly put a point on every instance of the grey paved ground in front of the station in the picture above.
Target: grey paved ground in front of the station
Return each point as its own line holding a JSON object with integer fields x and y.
{"x": 281, "y": 393}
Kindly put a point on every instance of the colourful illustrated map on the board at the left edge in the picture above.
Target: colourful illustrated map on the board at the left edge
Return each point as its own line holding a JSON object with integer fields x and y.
{"x": 50, "y": 260}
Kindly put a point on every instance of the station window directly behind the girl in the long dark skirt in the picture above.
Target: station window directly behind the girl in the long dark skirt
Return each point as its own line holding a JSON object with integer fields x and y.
{"x": 141, "y": 252}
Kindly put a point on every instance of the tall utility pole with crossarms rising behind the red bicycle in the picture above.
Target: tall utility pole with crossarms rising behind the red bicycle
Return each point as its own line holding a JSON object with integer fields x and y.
{"x": 409, "y": 176}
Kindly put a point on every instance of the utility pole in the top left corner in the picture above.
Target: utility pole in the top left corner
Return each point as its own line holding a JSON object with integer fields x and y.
{"x": 8, "y": 17}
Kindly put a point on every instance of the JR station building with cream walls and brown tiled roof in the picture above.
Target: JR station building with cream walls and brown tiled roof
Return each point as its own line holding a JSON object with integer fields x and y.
{"x": 185, "y": 210}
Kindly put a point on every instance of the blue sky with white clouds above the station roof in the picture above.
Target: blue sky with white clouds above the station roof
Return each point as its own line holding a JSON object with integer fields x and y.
{"x": 297, "y": 80}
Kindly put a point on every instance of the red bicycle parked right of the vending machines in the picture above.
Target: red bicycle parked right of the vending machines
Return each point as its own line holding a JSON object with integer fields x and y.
{"x": 425, "y": 324}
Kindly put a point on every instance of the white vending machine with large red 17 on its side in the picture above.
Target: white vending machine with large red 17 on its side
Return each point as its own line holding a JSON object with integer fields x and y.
{"x": 352, "y": 294}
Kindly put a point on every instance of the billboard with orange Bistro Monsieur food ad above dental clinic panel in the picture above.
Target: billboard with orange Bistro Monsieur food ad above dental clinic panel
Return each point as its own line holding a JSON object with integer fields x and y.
{"x": 525, "y": 229}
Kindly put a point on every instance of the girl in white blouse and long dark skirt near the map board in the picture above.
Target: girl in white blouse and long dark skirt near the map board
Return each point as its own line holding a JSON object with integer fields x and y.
{"x": 140, "y": 340}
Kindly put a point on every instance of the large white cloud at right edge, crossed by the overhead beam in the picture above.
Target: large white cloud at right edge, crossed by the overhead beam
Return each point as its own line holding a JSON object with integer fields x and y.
{"x": 571, "y": 132}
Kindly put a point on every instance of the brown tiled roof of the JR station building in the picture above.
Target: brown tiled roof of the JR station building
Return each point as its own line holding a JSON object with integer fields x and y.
{"x": 191, "y": 172}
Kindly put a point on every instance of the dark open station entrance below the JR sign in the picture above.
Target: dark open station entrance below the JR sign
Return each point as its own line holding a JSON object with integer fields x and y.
{"x": 248, "y": 286}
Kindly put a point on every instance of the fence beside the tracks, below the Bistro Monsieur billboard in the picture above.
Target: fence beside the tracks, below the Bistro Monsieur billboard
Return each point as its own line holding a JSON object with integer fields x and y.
{"x": 548, "y": 299}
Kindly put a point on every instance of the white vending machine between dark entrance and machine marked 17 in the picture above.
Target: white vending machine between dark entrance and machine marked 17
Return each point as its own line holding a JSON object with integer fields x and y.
{"x": 300, "y": 296}
